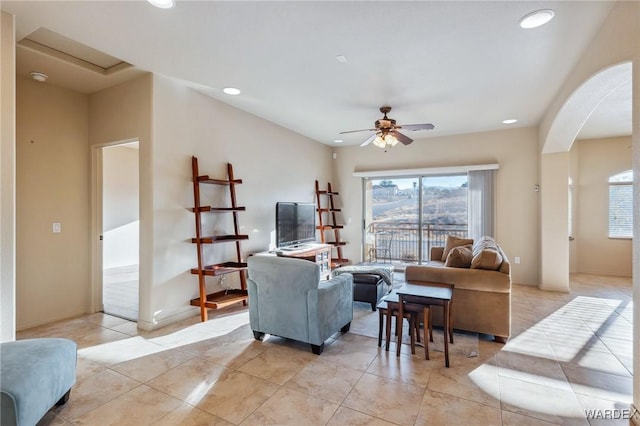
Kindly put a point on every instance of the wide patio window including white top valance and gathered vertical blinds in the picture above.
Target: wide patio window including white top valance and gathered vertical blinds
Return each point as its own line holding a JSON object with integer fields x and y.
{"x": 419, "y": 207}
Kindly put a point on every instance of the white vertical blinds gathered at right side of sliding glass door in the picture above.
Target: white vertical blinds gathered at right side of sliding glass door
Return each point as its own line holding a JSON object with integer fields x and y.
{"x": 481, "y": 203}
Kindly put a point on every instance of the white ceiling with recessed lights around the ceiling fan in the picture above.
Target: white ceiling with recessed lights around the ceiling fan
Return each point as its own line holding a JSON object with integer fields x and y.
{"x": 463, "y": 66}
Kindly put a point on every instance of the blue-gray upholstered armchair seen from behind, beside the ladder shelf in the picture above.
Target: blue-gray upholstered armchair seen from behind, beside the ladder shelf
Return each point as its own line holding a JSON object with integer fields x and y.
{"x": 287, "y": 299}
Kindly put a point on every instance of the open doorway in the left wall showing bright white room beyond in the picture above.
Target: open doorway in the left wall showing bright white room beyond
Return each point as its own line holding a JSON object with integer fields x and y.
{"x": 120, "y": 230}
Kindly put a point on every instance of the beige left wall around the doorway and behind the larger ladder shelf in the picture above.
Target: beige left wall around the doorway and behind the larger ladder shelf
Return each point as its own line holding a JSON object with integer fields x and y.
{"x": 60, "y": 162}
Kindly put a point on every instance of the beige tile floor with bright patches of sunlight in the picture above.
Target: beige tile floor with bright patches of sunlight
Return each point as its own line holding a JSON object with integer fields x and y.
{"x": 568, "y": 353}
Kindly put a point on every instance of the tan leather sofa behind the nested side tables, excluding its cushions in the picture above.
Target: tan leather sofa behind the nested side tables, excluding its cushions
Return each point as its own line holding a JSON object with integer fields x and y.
{"x": 481, "y": 298}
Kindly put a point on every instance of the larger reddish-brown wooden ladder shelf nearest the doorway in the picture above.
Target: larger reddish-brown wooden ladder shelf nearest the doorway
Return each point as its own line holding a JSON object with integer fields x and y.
{"x": 222, "y": 298}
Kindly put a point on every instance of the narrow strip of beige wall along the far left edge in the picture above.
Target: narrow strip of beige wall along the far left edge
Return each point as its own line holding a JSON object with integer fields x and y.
{"x": 7, "y": 178}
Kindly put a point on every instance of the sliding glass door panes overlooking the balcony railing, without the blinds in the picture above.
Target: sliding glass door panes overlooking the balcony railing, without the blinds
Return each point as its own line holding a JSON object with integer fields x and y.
{"x": 405, "y": 216}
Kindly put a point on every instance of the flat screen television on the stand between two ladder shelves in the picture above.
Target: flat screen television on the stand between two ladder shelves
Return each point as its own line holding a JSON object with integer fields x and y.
{"x": 295, "y": 223}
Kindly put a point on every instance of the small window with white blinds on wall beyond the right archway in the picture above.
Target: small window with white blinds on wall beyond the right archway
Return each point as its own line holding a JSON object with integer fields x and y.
{"x": 621, "y": 205}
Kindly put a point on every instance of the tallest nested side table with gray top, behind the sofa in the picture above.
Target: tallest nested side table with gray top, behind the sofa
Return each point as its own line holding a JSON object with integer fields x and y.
{"x": 427, "y": 295}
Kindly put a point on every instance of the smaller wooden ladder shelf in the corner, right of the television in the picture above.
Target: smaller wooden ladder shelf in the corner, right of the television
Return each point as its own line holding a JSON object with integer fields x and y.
{"x": 328, "y": 222}
